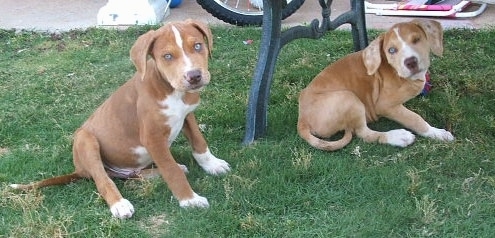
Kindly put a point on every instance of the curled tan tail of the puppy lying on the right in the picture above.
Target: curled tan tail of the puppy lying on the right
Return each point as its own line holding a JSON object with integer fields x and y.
{"x": 305, "y": 133}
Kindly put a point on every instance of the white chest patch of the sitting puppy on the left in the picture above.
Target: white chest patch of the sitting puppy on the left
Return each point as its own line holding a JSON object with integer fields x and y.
{"x": 176, "y": 111}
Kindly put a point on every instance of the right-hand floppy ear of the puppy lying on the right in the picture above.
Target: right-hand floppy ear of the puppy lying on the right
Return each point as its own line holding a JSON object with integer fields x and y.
{"x": 434, "y": 34}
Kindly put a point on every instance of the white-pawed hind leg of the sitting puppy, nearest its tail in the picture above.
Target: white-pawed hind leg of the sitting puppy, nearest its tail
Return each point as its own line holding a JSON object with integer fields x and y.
{"x": 88, "y": 162}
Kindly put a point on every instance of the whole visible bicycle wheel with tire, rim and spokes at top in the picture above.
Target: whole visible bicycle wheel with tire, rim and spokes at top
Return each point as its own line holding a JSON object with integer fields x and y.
{"x": 244, "y": 12}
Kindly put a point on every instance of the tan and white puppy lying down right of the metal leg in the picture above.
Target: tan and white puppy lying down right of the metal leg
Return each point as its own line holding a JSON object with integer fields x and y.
{"x": 373, "y": 83}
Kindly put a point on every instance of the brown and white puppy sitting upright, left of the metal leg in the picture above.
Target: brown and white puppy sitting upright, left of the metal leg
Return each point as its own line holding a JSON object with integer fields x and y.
{"x": 135, "y": 127}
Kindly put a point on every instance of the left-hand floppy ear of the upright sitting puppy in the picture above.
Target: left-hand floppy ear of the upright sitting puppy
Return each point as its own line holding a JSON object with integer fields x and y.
{"x": 140, "y": 50}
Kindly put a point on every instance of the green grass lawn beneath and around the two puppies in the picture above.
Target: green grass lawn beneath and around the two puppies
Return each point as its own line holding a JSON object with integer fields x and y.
{"x": 279, "y": 186}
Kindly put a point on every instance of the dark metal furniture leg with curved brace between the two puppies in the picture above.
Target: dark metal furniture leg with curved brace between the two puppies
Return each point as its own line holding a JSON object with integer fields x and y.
{"x": 273, "y": 39}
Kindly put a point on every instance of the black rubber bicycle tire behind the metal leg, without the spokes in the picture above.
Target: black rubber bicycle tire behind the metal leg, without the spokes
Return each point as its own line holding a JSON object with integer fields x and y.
{"x": 222, "y": 11}
